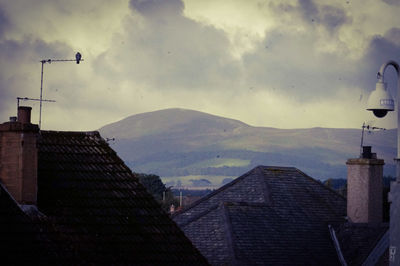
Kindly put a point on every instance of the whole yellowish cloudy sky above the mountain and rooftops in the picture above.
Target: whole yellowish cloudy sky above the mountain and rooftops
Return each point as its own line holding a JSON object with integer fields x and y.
{"x": 286, "y": 64}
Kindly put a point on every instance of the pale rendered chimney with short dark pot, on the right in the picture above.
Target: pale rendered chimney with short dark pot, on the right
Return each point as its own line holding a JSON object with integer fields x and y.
{"x": 364, "y": 188}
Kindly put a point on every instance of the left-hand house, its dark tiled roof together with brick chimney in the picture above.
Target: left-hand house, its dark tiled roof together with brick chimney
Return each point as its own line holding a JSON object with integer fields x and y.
{"x": 67, "y": 198}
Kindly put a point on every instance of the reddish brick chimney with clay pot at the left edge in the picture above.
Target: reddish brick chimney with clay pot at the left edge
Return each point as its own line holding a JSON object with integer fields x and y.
{"x": 19, "y": 156}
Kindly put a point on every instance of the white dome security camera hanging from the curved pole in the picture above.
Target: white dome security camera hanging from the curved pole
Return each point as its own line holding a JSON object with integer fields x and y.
{"x": 380, "y": 101}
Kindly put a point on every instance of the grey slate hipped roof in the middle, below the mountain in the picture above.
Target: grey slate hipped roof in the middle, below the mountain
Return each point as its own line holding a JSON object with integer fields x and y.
{"x": 268, "y": 216}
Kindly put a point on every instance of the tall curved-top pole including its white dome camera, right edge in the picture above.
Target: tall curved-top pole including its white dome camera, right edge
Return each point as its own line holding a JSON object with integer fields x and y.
{"x": 380, "y": 102}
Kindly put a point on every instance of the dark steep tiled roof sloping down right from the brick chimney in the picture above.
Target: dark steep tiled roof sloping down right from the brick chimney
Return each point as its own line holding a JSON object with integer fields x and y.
{"x": 95, "y": 210}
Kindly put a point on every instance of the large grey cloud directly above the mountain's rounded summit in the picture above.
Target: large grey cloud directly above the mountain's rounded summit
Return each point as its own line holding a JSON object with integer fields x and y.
{"x": 169, "y": 51}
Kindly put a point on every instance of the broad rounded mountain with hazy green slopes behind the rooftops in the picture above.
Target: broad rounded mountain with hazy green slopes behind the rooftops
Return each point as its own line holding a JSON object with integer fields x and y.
{"x": 187, "y": 145}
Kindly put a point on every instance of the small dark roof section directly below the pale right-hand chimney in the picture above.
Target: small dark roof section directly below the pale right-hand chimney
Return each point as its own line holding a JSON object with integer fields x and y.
{"x": 357, "y": 240}
